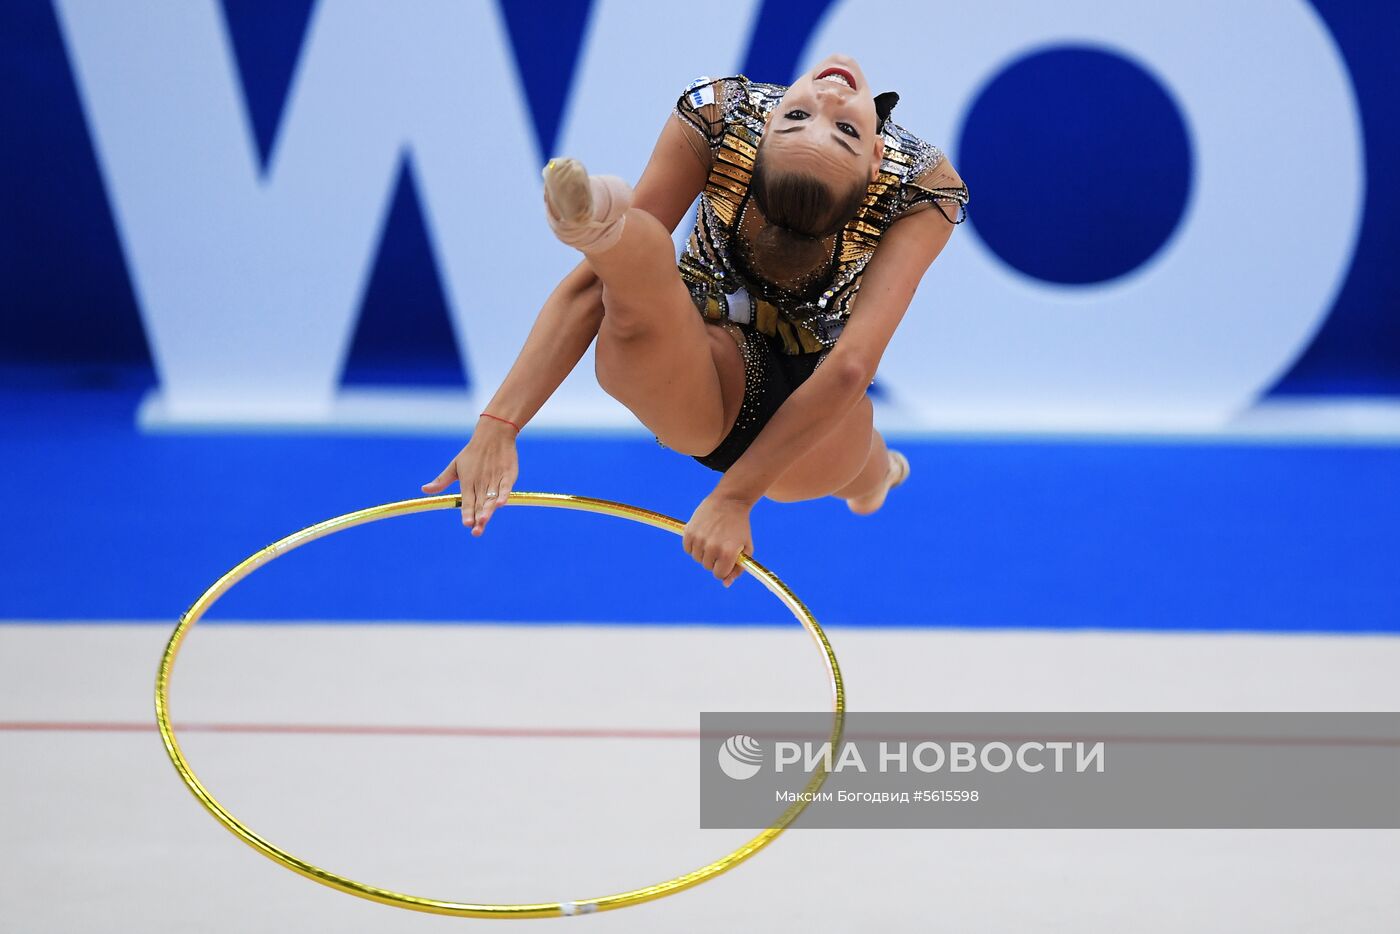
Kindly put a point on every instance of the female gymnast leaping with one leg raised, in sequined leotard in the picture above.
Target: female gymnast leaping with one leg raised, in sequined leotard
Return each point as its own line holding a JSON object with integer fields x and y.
{"x": 815, "y": 223}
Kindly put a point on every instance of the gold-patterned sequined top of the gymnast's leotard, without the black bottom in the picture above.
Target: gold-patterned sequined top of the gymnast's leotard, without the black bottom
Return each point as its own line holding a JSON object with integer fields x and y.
{"x": 729, "y": 116}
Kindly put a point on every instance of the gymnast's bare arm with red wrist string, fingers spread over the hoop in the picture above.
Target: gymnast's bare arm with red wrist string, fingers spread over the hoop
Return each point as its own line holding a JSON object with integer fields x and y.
{"x": 563, "y": 330}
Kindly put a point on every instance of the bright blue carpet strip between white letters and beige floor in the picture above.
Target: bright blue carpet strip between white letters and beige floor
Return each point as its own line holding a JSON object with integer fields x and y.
{"x": 106, "y": 523}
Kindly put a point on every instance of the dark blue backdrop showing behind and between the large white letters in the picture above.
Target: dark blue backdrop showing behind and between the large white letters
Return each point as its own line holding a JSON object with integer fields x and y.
{"x": 61, "y": 261}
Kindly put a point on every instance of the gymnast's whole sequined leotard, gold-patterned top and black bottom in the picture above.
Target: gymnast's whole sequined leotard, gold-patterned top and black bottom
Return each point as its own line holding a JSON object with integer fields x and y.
{"x": 785, "y": 331}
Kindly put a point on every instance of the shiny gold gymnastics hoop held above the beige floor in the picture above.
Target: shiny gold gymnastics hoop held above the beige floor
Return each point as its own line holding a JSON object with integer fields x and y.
{"x": 463, "y": 909}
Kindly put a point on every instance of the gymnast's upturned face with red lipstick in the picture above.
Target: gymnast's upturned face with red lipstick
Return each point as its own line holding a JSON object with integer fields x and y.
{"x": 825, "y": 124}
